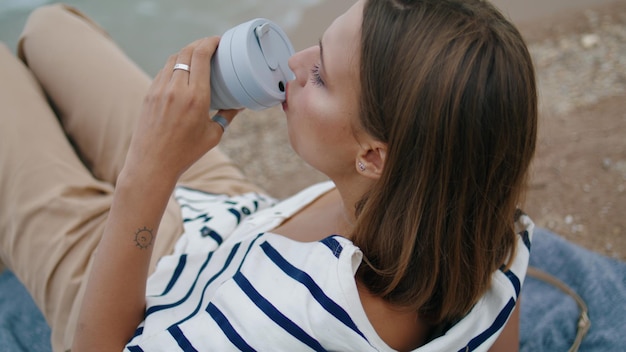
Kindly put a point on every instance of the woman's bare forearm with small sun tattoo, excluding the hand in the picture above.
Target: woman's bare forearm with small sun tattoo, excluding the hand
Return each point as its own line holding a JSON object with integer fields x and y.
{"x": 114, "y": 302}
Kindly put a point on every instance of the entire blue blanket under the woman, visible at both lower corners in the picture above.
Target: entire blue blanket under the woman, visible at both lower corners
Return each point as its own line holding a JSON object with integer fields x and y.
{"x": 548, "y": 316}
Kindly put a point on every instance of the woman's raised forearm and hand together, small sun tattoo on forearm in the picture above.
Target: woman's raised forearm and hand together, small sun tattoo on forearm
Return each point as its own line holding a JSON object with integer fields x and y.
{"x": 173, "y": 131}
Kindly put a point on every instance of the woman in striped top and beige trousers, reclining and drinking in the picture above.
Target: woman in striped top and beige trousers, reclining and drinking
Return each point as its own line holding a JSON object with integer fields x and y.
{"x": 421, "y": 113}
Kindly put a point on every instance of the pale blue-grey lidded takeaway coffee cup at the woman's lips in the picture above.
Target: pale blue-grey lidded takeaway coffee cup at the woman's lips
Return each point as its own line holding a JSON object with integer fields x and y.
{"x": 249, "y": 68}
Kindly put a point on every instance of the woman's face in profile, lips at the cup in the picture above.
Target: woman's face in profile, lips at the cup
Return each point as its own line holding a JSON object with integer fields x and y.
{"x": 323, "y": 101}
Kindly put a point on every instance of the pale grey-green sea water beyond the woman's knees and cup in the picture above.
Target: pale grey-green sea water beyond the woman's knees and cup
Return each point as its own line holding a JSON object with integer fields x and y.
{"x": 150, "y": 30}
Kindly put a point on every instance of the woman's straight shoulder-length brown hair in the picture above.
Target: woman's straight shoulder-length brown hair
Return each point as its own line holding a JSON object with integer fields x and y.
{"x": 449, "y": 86}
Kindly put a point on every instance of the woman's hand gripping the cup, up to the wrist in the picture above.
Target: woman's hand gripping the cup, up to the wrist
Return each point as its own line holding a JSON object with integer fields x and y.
{"x": 175, "y": 128}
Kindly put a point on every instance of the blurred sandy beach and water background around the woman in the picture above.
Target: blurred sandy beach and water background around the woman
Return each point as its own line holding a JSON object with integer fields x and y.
{"x": 579, "y": 48}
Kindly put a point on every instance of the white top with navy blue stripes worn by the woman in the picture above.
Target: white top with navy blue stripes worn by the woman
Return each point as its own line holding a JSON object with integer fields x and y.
{"x": 232, "y": 285}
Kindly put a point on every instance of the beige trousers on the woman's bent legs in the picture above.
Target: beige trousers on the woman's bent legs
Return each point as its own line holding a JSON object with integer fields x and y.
{"x": 66, "y": 117}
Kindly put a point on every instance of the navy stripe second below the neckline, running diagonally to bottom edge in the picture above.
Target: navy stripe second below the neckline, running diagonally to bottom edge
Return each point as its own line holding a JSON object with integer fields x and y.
{"x": 274, "y": 314}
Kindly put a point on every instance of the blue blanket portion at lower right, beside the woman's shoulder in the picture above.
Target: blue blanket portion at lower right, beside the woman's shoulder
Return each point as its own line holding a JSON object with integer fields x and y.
{"x": 549, "y": 317}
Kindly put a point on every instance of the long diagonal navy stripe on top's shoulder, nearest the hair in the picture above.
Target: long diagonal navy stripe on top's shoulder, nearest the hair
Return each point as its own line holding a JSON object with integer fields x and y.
{"x": 329, "y": 305}
